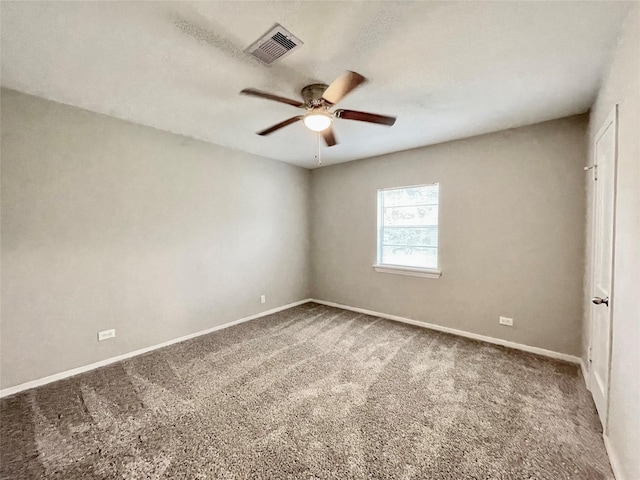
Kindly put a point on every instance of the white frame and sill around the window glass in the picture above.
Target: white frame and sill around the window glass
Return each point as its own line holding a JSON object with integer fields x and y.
{"x": 403, "y": 269}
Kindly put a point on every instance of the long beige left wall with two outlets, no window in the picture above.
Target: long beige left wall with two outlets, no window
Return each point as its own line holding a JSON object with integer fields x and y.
{"x": 108, "y": 224}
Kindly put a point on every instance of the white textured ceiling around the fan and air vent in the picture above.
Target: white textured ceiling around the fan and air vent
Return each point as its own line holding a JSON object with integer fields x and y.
{"x": 447, "y": 70}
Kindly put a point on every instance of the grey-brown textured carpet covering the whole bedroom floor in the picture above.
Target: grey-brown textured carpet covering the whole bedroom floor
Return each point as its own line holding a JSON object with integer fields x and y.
{"x": 311, "y": 392}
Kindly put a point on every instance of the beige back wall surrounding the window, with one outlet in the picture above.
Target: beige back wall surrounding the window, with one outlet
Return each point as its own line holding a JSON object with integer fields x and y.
{"x": 512, "y": 210}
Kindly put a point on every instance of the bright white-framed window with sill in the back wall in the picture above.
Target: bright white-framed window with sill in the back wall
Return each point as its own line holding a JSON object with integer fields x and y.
{"x": 408, "y": 230}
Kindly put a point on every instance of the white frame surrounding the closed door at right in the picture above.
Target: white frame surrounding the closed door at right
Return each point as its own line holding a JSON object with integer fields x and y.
{"x": 612, "y": 118}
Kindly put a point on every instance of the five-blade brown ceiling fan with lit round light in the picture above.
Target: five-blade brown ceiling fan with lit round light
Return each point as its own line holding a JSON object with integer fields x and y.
{"x": 318, "y": 99}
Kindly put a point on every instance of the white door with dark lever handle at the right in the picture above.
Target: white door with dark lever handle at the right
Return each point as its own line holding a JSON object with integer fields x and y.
{"x": 603, "y": 236}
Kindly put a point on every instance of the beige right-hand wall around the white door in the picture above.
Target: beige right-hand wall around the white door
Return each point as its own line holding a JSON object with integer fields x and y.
{"x": 622, "y": 86}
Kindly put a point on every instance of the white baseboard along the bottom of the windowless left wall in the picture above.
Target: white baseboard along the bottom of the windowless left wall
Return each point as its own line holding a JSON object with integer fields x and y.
{"x": 75, "y": 371}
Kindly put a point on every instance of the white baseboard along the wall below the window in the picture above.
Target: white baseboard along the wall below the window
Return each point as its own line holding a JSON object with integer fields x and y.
{"x": 461, "y": 333}
